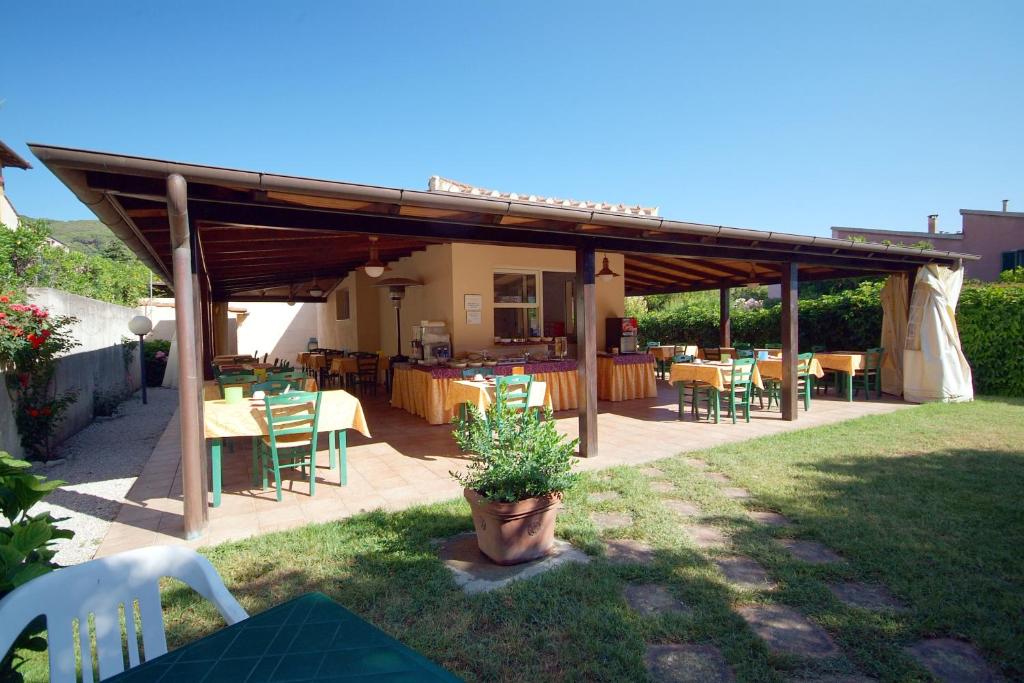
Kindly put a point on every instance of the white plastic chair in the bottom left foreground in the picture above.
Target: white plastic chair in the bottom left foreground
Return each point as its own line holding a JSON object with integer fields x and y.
{"x": 104, "y": 588}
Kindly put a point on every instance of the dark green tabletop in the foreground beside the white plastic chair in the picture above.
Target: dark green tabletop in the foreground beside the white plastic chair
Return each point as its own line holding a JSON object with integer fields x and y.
{"x": 311, "y": 638}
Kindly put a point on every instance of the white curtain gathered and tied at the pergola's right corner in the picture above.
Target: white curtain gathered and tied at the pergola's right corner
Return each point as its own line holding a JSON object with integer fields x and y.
{"x": 934, "y": 366}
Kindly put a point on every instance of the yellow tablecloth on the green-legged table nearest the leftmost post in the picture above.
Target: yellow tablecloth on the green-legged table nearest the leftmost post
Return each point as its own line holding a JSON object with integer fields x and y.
{"x": 339, "y": 410}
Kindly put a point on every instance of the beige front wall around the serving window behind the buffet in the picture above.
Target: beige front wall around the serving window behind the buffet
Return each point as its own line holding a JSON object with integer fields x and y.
{"x": 475, "y": 267}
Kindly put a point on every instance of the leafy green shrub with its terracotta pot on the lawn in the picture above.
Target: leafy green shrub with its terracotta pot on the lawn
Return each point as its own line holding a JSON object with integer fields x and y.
{"x": 521, "y": 467}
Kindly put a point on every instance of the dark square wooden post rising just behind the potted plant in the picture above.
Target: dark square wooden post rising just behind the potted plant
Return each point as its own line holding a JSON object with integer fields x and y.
{"x": 586, "y": 316}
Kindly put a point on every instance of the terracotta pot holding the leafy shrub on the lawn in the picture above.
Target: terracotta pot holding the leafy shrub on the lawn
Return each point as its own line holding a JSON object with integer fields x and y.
{"x": 515, "y": 533}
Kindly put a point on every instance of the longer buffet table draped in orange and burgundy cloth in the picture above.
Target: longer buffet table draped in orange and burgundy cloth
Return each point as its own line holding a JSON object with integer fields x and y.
{"x": 424, "y": 391}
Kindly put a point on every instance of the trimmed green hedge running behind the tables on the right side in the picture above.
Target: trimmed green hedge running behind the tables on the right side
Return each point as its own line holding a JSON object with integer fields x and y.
{"x": 991, "y": 319}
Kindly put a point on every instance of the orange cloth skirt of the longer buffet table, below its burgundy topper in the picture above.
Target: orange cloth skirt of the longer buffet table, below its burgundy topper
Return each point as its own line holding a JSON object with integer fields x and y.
{"x": 417, "y": 392}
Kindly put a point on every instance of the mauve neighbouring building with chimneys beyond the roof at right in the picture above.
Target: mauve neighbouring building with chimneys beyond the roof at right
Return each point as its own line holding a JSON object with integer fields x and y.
{"x": 996, "y": 236}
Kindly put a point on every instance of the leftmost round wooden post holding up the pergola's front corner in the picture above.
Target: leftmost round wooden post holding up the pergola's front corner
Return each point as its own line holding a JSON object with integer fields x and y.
{"x": 190, "y": 382}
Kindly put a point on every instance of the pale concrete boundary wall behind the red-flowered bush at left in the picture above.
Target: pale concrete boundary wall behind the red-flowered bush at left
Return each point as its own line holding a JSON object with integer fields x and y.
{"x": 96, "y": 367}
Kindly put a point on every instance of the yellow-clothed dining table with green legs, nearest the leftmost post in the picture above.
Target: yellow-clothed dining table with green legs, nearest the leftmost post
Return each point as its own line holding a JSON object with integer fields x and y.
{"x": 339, "y": 412}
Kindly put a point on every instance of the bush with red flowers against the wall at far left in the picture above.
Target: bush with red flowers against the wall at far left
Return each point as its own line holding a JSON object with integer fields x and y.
{"x": 31, "y": 341}
